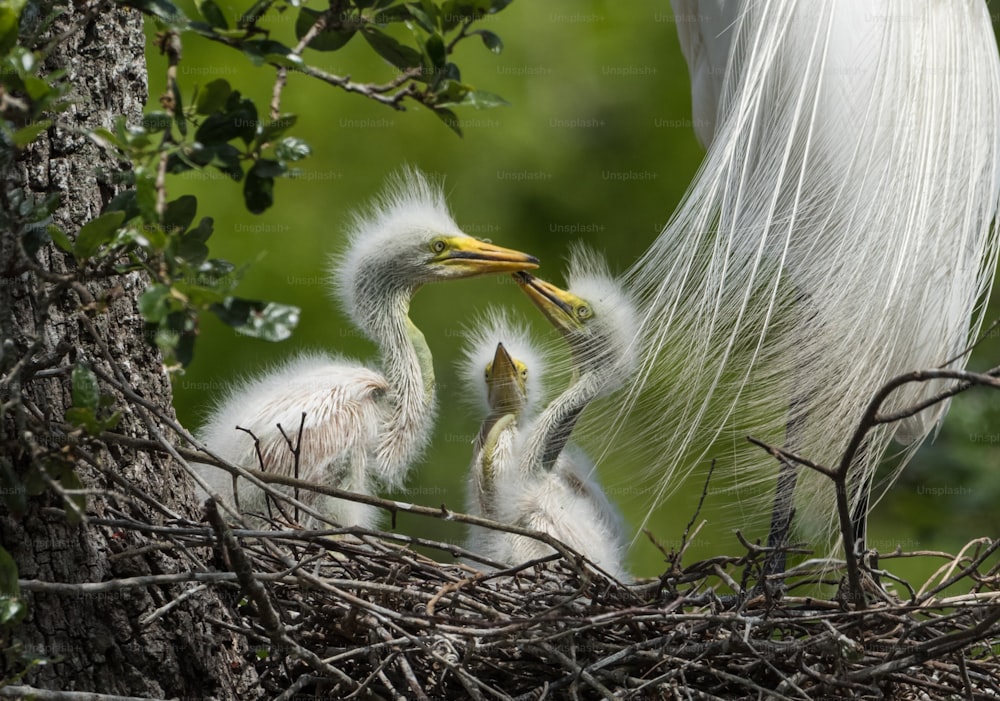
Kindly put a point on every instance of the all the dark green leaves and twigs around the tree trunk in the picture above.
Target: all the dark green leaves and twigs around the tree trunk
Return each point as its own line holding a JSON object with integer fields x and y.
{"x": 218, "y": 129}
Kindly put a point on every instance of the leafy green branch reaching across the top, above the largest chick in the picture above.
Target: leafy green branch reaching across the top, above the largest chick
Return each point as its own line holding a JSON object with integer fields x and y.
{"x": 426, "y": 73}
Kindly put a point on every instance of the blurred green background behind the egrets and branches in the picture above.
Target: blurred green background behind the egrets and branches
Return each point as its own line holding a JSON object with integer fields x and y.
{"x": 596, "y": 145}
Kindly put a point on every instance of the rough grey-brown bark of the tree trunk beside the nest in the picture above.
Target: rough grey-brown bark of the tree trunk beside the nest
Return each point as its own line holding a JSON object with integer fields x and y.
{"x": 96, "y": 642}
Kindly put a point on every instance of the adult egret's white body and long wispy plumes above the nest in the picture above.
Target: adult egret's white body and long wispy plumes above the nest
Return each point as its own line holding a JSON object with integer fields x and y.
{"x": 839, "y": 232}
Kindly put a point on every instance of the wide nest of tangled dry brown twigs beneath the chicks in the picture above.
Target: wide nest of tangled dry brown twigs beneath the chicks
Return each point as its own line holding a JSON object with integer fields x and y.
{"x": 352, "y": 613}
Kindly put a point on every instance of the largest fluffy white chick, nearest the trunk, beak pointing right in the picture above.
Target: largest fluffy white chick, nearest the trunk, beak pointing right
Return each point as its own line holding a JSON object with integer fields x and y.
{"x": 362, "y": 424}
